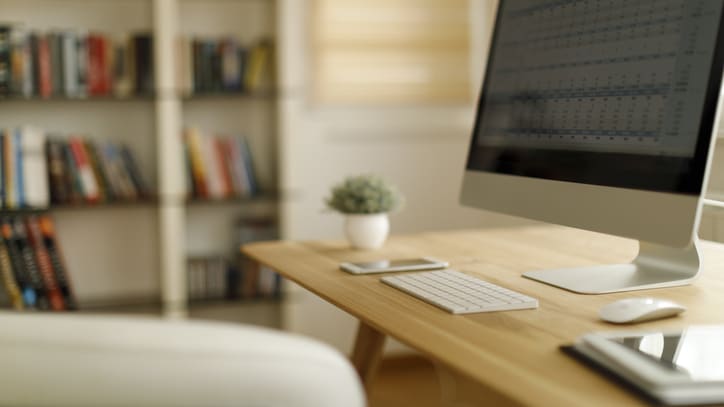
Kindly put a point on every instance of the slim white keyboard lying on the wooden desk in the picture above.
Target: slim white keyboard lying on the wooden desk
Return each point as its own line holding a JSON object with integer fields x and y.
{"x": 458, "y": 292}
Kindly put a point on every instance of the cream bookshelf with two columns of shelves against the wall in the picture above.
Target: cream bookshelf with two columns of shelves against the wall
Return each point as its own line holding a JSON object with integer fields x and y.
{"x": 134, "y": 253}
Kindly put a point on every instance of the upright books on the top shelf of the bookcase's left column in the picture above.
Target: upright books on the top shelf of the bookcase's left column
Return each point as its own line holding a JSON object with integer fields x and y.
{"x": 74, "y": 64}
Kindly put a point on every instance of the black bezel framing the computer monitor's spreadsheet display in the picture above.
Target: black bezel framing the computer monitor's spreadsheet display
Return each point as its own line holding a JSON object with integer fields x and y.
{"x": 632, "y": 171}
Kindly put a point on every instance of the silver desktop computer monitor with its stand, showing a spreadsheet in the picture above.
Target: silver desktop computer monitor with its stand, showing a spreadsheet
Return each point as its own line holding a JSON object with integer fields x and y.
{"x": 600, "y": 115}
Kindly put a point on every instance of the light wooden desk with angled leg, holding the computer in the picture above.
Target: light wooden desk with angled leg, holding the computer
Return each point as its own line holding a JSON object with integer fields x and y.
{"x": 513, "y": 356}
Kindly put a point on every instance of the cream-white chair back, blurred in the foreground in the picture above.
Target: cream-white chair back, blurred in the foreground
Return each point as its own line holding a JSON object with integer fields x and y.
{"x": 85, "y": 360}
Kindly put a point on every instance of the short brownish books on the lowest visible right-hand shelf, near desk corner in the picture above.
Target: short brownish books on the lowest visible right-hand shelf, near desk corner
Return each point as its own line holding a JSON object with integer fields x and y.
{"x": 218, "y": 278}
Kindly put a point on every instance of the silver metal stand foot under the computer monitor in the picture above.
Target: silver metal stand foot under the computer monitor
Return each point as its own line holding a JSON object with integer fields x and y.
{"x": 655, "y": 267}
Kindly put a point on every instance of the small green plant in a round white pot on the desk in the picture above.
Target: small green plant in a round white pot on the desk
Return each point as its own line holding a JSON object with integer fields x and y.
{"x": 366, "y": 201}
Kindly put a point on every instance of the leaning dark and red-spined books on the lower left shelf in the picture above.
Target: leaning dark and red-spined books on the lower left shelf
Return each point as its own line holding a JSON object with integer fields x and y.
{"x": 32, "y": 272}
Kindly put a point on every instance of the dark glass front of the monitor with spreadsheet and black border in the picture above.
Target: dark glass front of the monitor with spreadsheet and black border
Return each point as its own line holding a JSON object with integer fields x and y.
{"x": 603, "y": 92}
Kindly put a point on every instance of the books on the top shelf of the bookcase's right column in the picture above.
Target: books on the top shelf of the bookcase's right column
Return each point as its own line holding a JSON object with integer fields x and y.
{"x": 222, "y": 65}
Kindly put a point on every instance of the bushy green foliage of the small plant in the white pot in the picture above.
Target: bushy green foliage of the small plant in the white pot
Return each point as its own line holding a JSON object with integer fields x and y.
{"x": 364, "y": 194}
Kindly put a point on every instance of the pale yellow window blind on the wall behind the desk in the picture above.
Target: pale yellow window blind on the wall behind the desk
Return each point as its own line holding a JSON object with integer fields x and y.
{"x": 390, "y": 51}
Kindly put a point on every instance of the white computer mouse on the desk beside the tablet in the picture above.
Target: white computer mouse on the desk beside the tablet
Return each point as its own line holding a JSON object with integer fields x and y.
{"x": 631, "y": 310}
